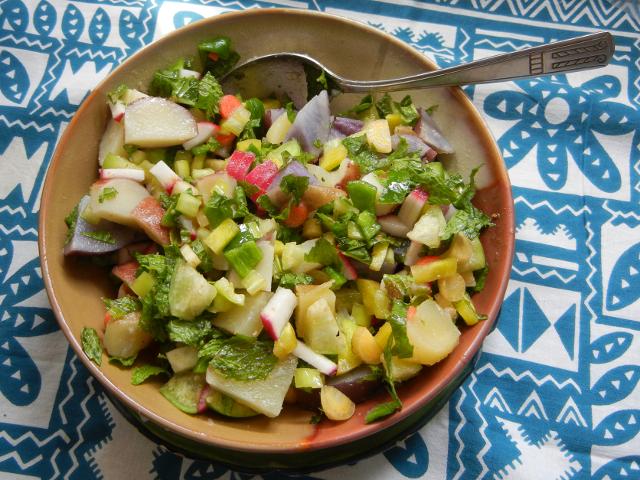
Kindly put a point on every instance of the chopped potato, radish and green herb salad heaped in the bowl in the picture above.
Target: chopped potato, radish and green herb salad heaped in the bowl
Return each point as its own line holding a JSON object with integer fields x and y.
{"x": 266, "y": 254}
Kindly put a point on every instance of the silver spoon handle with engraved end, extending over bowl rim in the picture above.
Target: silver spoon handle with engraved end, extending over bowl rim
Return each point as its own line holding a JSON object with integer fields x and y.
{"x": 581, "y": 53}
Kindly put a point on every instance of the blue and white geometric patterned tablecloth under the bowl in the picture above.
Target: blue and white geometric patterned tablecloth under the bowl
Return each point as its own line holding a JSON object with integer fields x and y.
{"x": 555, "y": 392}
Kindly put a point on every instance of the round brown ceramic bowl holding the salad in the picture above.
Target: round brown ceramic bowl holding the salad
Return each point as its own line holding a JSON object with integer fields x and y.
{"x": 354, "y": 50}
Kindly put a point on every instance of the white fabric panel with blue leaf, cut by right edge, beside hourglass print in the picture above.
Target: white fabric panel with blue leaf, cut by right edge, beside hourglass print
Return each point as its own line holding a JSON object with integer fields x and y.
{"x": 620, "y": 270}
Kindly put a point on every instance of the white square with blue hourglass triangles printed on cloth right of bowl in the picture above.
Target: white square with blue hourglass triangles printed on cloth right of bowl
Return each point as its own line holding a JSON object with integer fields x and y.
{"x": 539, "y": 324}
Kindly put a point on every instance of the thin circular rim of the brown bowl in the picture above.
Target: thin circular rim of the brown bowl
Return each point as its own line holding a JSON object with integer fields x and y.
{"x": 367, "y": 430}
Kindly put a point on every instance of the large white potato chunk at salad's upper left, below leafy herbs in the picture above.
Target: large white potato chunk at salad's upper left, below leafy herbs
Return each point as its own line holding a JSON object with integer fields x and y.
{"x": 157, "y": 122}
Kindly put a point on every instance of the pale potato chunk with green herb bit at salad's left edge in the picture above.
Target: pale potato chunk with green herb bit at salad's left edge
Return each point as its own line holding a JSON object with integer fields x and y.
{"x": 116, "y": 207}
